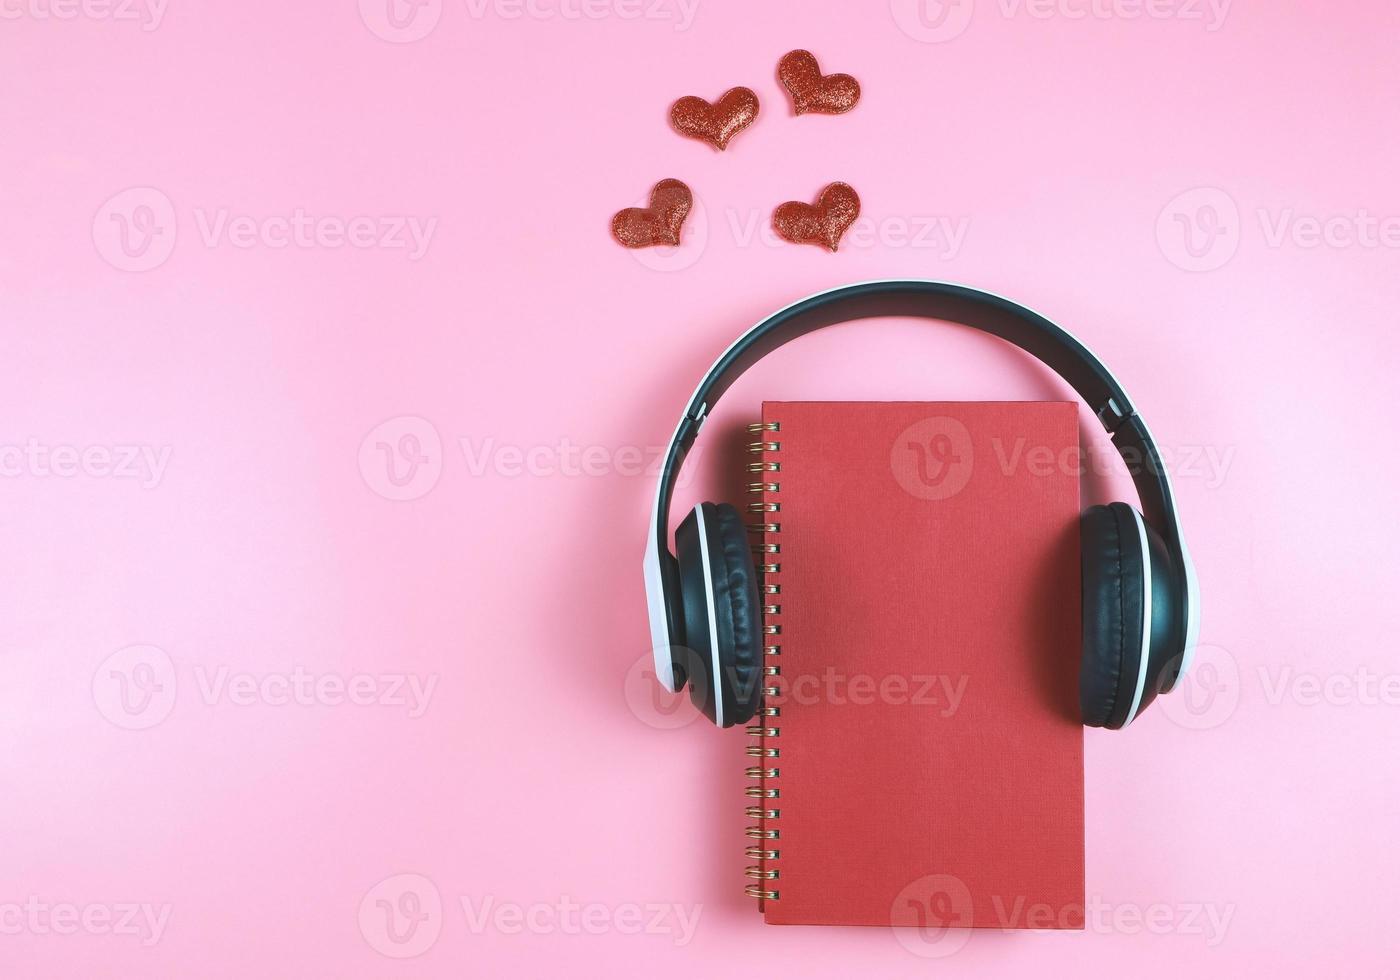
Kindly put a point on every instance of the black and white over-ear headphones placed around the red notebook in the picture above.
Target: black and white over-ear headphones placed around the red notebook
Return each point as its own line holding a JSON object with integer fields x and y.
{"x": 1142, "y": 608}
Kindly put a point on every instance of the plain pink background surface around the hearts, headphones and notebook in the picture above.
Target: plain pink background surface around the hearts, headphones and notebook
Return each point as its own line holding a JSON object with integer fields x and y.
{"x": 1074, "y": 152}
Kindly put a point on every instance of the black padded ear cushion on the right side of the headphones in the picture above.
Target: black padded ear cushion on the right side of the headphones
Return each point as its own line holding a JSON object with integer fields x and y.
{"x": 1114, "y": 570}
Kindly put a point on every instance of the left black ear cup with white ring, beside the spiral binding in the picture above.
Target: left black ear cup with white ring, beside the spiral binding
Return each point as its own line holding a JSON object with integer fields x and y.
{"x": 723, "y": 618}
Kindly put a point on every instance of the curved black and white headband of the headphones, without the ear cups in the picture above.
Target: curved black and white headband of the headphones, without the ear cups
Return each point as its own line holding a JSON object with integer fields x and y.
{"x": 1052, "y": 345}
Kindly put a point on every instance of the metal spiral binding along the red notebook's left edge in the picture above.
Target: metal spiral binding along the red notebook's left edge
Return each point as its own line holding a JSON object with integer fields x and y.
{"x": 765, "y": 754}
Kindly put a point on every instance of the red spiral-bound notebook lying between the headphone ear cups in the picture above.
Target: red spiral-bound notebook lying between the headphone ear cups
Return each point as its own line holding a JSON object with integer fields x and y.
{"x": 920, "y": 759}
